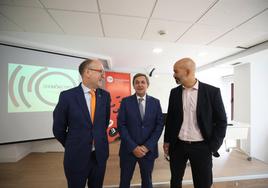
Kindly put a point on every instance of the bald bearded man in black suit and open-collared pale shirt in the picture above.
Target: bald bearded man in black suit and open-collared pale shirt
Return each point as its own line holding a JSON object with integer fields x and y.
{"x": 195, "y": 126}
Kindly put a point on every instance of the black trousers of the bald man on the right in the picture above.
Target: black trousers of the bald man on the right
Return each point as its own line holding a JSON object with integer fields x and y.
{"x": 200, "y": 158}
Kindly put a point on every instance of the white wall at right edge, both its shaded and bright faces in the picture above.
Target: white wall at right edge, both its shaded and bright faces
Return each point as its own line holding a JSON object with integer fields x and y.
{"x": 250, "y": 105}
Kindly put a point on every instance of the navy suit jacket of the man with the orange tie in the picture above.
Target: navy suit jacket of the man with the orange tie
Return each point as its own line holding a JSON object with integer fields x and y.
{"x": 73, "y": 128}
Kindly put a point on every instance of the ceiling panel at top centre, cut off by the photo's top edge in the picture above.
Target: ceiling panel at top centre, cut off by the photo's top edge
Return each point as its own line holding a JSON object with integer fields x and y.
{"x": 141, "y": 8}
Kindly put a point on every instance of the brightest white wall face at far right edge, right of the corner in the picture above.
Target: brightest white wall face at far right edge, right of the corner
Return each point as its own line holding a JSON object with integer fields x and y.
{"x": 259, "y": 105}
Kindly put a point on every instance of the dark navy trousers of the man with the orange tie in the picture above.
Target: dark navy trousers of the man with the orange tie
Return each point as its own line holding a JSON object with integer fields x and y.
{"x": 93, "y": 176}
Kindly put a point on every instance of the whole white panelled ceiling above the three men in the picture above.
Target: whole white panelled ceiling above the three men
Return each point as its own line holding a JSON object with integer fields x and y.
{"x": 126, "y": 31}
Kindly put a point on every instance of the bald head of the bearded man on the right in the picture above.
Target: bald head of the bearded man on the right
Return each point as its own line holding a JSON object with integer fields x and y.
{"x": 184, "y": 72}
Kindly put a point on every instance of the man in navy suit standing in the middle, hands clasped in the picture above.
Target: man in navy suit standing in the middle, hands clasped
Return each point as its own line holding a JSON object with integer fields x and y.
{"x": 140, "y": 125}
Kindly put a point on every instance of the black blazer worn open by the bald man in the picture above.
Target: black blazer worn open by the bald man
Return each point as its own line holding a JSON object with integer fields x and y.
{"x": 211, "y": 116}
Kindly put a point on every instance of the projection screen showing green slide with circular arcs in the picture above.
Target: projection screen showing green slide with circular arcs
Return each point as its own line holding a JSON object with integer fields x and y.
{"x": 30, "y": 83}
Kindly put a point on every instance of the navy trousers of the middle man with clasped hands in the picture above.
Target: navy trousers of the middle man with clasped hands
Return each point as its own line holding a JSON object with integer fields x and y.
{"x": 127, "y": 169}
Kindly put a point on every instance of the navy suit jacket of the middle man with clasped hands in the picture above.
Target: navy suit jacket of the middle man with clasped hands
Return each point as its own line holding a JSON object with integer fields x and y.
{"x": 134, "y": 131}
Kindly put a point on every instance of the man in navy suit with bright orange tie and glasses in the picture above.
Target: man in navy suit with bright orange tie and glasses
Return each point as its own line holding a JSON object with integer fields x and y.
{"x": 81, "y": 119}
